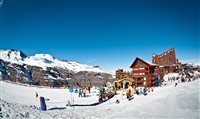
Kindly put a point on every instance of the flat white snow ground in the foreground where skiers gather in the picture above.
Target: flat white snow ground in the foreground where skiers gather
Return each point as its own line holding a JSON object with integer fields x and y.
{"x": 181, "y": 102}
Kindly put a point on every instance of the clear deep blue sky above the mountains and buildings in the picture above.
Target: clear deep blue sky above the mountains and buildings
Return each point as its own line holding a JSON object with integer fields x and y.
{"x": 108, "y": 33}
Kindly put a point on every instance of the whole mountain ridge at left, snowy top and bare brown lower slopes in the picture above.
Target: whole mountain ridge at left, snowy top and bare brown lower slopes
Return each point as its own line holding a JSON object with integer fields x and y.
{"x": 46, "y": 70}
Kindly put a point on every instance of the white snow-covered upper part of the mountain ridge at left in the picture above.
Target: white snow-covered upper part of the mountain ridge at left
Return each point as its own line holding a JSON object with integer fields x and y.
{"x": 44, "y": 61}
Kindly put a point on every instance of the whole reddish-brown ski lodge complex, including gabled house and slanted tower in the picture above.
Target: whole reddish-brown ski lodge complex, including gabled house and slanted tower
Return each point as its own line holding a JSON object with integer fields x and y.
{"x": 148, "y": 74}
